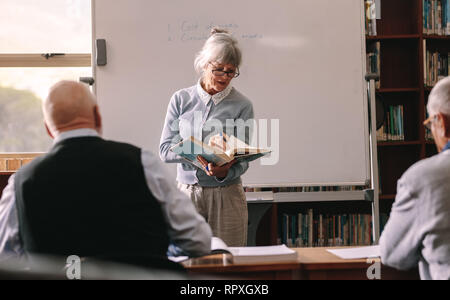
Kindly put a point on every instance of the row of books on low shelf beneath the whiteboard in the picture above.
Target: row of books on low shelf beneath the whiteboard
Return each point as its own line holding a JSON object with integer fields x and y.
{"x": 325, "y": 230}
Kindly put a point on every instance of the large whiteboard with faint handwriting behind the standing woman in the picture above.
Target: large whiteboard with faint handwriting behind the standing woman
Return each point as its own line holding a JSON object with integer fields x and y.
{"x": 303, "y": 65}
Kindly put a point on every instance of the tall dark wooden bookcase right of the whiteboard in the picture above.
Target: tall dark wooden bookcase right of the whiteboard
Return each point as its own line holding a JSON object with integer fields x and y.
{"x": 401, "y": 37}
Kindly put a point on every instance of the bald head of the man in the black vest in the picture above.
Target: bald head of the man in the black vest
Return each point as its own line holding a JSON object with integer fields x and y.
{"x": 70, "y": 105}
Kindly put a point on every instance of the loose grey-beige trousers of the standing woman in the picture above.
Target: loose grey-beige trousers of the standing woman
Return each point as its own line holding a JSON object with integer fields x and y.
{"x": 224, "y": 208}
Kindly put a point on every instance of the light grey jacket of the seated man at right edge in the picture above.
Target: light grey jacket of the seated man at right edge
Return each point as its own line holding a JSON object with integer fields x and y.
{"x": 418, "y": 230}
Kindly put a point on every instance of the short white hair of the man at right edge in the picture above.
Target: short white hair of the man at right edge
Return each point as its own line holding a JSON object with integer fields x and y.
{"x": 439, "y": 99}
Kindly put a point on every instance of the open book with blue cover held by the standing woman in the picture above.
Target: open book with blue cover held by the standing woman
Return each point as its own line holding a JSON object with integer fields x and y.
{"x": 190, "y": 148}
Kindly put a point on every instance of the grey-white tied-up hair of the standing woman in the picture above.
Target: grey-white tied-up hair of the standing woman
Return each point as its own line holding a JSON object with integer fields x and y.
{"x": 222, "y": 48}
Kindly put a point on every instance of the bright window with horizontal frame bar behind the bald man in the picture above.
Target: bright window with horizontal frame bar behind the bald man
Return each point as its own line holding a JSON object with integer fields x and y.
{"x": 30, "y": 29}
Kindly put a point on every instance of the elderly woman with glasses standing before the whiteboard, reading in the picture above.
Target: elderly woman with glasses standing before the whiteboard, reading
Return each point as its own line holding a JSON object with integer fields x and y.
{"x": 217, "y": 192}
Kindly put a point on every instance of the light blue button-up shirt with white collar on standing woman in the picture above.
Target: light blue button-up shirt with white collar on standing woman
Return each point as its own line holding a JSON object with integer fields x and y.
{"x": 193, "y": 112}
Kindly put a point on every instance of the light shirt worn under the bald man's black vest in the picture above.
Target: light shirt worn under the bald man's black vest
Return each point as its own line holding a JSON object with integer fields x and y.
{"x": 187, "y": 229}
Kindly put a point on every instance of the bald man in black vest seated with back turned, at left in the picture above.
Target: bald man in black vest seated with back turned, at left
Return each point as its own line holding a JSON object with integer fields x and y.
{"x": 95, "y": 198}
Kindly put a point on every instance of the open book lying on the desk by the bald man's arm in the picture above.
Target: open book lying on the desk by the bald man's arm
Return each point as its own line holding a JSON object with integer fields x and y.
{"x": 250, "y": 255}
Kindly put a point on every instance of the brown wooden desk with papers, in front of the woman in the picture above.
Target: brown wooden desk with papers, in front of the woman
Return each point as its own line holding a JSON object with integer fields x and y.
{"x": 311, "y": 264}
